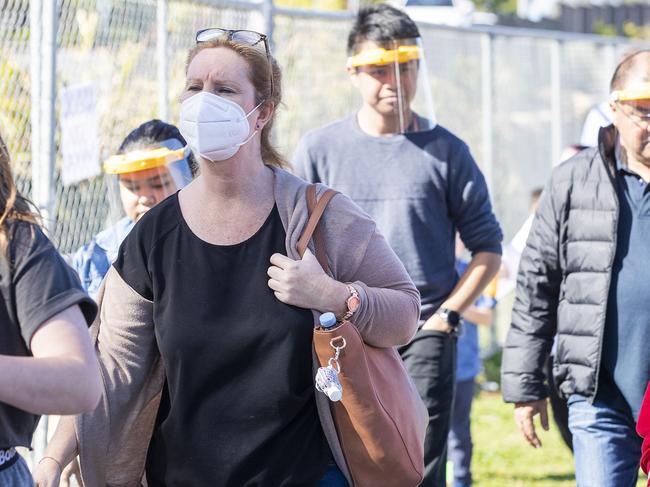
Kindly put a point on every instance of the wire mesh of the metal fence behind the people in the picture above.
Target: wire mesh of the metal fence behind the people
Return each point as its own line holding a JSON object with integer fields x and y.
{"x": 113, "y": 45}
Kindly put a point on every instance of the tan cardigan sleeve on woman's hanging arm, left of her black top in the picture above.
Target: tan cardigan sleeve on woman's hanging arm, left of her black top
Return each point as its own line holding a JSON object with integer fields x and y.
{"x": 113, "y": 440}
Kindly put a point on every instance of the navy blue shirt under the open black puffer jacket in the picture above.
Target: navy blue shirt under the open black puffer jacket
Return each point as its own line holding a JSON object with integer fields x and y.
{"x": 626, "y": 355}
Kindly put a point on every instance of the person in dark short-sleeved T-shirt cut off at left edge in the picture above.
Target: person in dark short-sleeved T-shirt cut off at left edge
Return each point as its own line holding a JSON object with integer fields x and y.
{"x": 46, "y": 356}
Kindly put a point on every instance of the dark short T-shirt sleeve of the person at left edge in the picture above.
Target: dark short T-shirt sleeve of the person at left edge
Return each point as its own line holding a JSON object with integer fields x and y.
{"x": 43, "y": 284}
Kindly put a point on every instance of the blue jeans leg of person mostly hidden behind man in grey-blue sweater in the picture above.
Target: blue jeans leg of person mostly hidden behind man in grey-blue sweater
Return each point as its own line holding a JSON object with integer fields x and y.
{"x": 459, "y": 442}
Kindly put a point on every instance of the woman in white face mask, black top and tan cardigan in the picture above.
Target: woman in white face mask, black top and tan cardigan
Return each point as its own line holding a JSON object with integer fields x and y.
{"x": 205, "y": 336}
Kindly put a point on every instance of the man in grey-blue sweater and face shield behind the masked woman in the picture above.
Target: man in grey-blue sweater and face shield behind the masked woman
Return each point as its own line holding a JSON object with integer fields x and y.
{"x": 421, "y": 185}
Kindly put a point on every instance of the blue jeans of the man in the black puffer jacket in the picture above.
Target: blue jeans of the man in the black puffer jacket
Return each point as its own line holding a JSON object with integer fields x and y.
{"x": 606, "y": 447}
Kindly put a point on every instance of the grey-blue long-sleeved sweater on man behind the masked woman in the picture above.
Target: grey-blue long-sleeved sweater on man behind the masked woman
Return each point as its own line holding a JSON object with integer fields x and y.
{"x": 420, "y": 188}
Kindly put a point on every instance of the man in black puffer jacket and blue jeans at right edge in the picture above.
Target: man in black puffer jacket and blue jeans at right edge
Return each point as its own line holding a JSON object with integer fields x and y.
{"x": 583, "y": 278}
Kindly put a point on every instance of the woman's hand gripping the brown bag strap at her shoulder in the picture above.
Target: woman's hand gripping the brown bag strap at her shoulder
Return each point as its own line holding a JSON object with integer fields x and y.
{"x": 303, "y": 283}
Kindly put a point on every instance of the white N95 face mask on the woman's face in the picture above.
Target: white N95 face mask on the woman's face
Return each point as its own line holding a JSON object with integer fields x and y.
{"x": 214, "y": 127}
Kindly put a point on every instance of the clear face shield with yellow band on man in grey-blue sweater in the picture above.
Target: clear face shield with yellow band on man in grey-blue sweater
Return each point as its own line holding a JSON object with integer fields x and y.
{"x": 394, "y": 79}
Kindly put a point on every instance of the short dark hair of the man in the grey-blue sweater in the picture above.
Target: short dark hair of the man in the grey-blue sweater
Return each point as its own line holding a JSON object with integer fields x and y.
{"x": 380, "y": 23}
